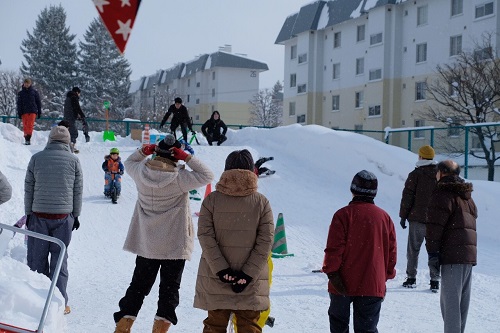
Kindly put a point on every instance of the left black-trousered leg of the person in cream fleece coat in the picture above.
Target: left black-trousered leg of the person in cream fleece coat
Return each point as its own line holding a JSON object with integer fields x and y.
{"x": 142, "y": 281}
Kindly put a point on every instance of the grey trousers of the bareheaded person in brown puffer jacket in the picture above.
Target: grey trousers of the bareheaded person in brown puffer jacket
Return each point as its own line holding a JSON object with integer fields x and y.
{"x": 456, "y": 284}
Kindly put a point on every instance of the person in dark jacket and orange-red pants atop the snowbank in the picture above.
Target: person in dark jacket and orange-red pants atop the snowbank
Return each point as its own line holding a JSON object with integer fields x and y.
{"x": 29, "y": 107}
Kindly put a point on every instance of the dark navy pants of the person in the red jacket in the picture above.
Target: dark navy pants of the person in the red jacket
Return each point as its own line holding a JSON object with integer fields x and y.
{"x": 366, "y": 313}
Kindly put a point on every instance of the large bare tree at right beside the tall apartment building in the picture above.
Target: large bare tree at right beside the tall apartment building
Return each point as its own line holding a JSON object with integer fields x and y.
{"x": 468, "y": 91}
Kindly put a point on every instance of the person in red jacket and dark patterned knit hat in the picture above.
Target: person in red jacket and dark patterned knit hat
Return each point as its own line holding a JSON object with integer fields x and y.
{"x": 360, "y": 256}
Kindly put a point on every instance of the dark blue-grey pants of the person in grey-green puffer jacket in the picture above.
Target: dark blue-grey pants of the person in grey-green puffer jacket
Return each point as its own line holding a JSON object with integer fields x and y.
{"x": 39, "y": 250}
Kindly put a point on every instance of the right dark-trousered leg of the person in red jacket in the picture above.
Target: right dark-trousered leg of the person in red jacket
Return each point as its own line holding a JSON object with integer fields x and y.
{"x": 366, "y": 313}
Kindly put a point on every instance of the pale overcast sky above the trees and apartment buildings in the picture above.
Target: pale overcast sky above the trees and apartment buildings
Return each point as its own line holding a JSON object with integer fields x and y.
{"x": 167, "y": 31}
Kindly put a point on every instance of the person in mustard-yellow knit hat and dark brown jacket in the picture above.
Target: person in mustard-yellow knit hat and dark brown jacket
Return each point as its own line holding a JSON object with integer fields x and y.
{"x": 415, "y": 199}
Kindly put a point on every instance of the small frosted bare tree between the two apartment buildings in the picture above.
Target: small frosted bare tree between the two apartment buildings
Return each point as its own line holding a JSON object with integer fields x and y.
{"x": 267, "y": 107}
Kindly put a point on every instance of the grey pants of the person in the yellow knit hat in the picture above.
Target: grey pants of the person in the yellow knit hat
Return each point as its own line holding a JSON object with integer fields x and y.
{"x": 416, "y": 236}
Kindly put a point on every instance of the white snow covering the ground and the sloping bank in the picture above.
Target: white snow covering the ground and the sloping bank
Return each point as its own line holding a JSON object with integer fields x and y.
{"x": 314, "y": 165}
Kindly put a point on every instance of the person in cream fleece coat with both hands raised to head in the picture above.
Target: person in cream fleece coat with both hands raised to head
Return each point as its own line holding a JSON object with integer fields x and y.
{"x": 161, "y": 230}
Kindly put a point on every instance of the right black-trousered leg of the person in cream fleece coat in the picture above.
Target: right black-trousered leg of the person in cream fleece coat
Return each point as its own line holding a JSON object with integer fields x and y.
{"x": 170, "y": 282}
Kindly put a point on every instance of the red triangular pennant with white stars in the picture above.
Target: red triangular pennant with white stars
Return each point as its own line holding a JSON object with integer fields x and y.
{"x": 118, "y": 17}
